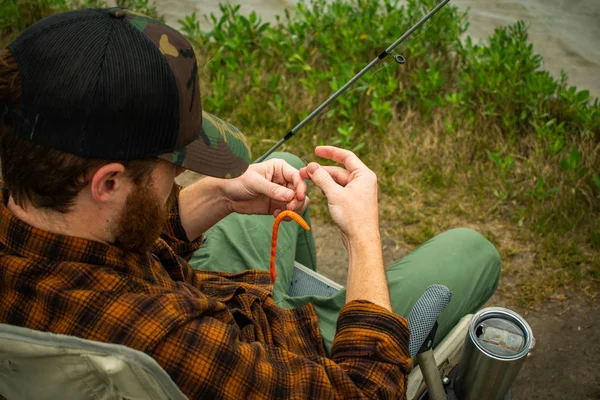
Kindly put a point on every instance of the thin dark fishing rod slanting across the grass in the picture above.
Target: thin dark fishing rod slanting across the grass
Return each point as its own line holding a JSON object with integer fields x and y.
{"x": 397, "y": 57}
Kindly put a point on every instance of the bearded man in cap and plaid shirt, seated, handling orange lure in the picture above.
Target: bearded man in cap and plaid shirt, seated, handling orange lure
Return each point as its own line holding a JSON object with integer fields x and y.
{"x": 100, "y": 112}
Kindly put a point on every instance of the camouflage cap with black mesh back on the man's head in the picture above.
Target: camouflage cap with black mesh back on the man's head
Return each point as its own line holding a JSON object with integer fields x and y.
{"x": 114, "y": 84}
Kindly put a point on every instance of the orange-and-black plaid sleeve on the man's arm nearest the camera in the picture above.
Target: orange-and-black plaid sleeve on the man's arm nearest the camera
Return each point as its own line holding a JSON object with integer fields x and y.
{"x": 369, "y": 360}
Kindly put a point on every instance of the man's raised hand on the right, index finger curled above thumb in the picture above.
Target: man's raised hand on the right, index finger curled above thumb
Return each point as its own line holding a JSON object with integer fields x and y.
{"x": 351, "y": 191}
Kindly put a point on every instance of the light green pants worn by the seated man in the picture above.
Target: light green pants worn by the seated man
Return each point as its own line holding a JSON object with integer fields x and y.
{"x": 460, "y": 259}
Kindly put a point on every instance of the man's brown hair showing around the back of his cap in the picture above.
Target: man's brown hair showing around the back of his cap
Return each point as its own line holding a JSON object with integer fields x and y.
{"x": 43, "y": 177}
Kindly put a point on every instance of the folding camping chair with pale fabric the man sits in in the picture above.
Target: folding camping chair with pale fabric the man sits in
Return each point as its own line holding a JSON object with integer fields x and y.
{"x": 43, "y": 365}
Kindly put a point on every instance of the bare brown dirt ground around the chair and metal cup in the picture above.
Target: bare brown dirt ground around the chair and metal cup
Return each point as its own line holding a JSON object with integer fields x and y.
{"x": 566, "y": 360}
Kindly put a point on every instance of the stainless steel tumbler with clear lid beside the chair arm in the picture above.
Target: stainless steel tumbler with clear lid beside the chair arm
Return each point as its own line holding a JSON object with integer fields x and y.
{"x": 497, "y": 342}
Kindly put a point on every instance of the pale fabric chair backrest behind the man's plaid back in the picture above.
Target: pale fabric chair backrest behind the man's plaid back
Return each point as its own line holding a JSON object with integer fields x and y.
{"x": 42, "y": 365}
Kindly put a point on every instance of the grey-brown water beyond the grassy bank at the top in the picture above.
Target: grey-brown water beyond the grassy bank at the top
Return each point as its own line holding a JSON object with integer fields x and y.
{"x": 565, "y": 32}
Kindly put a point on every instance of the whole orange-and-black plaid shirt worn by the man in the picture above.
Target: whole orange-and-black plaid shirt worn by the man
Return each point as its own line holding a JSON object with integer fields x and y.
{"x": 217, "y": 335}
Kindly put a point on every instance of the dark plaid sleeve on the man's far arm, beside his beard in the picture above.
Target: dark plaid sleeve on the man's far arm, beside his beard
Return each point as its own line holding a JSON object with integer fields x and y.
{"x": 174, "y": 233}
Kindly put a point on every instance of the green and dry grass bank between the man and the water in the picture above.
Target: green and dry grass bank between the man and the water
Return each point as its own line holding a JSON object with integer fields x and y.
{"x": 463, "y": 134}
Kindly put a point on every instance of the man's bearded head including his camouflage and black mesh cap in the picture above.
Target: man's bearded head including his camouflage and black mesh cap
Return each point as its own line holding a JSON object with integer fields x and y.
{"x": 100, "y": 109}
